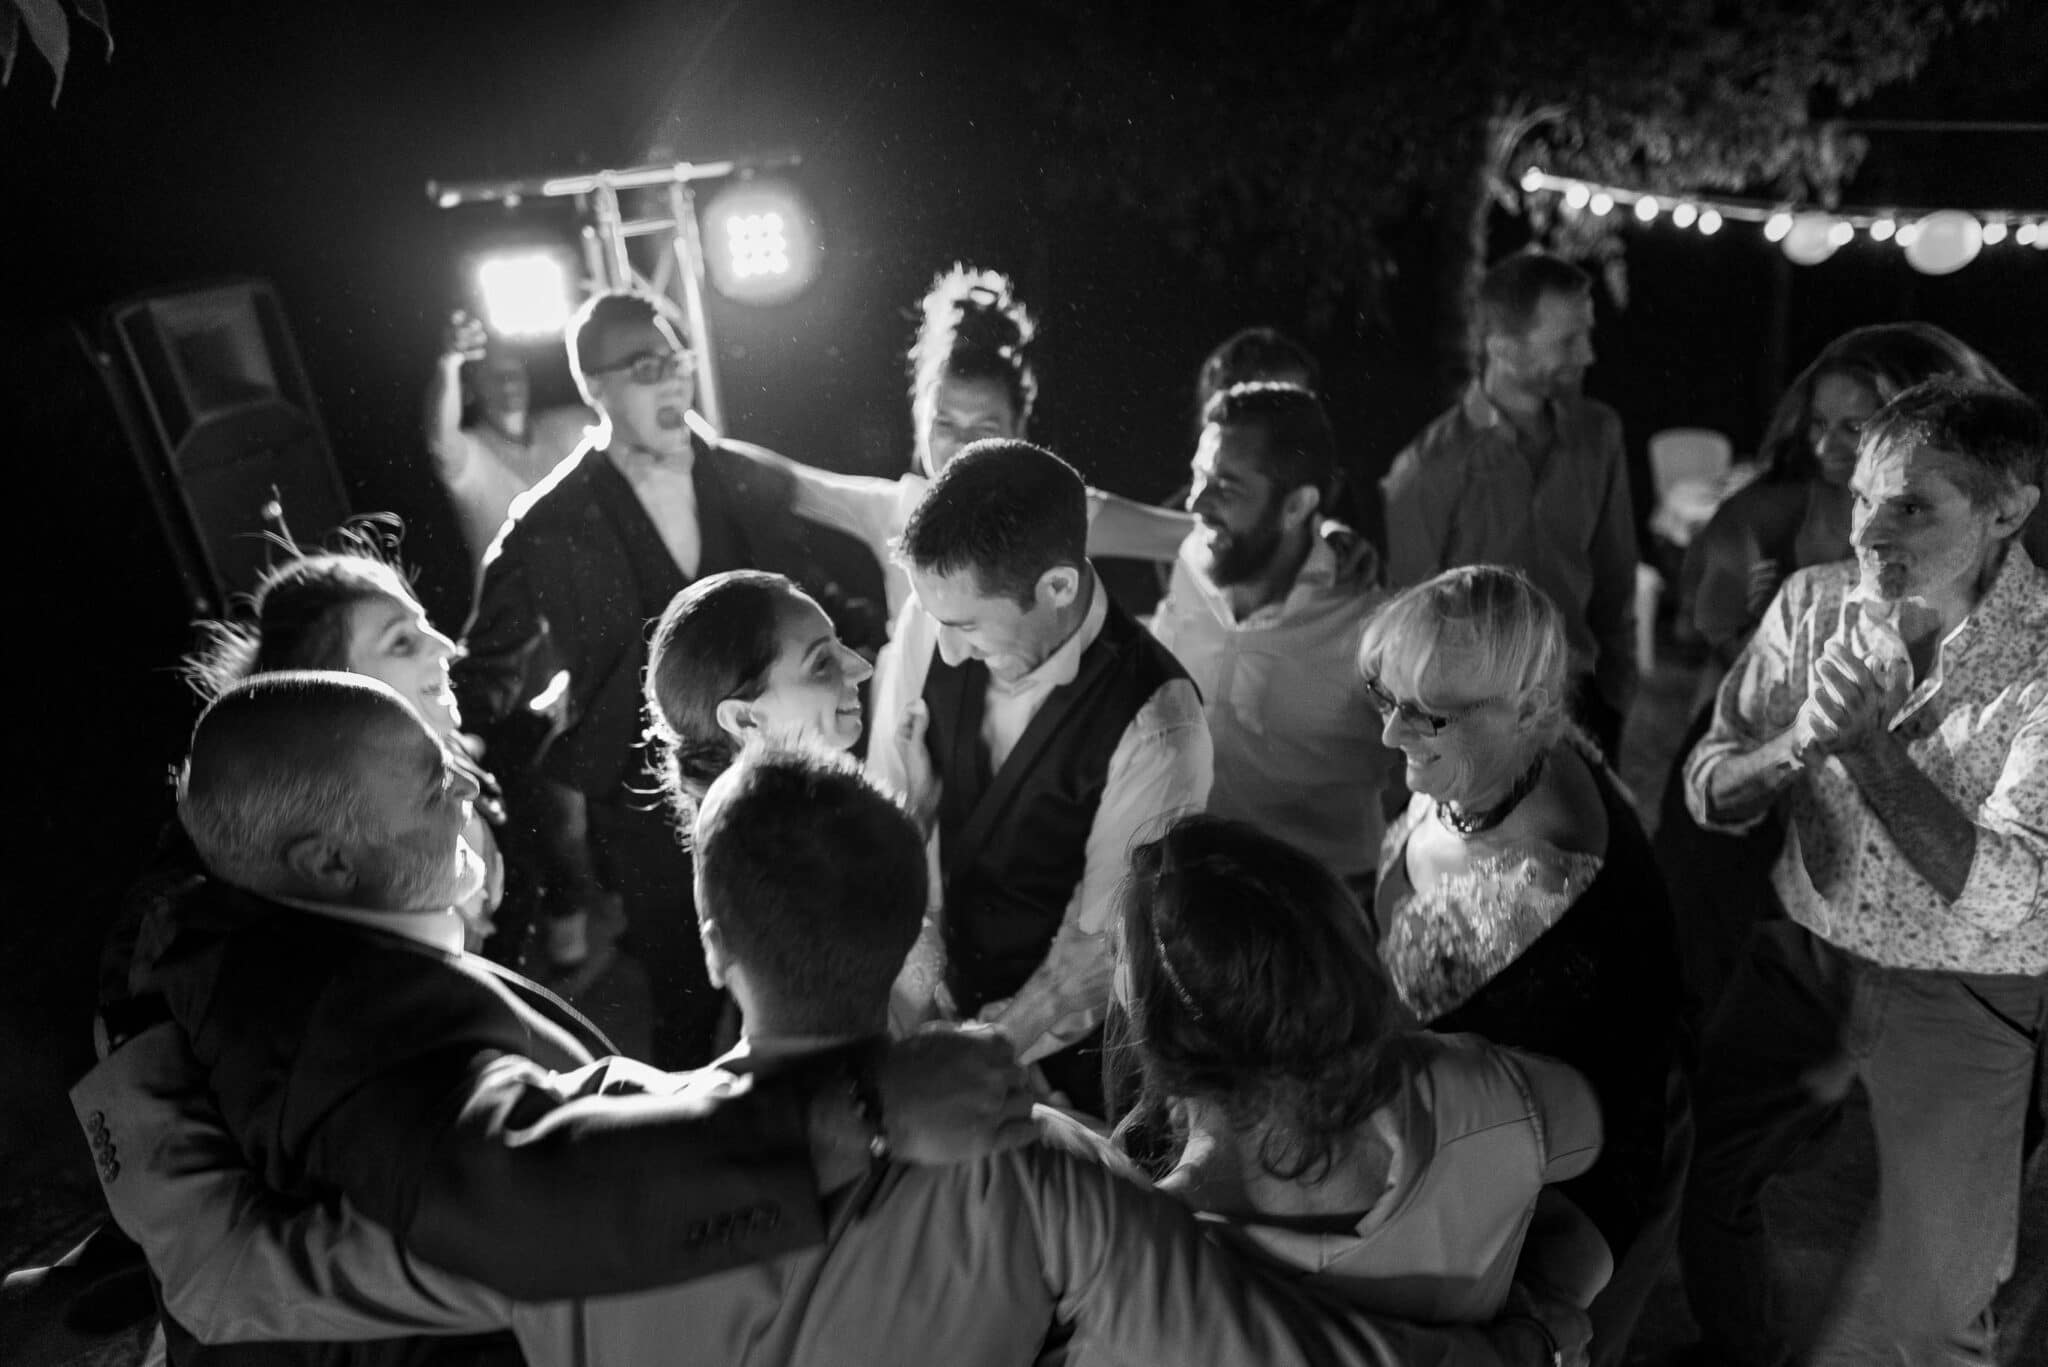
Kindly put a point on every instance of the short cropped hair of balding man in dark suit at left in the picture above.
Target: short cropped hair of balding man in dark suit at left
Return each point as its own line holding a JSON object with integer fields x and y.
{"x": 271, "y": 763}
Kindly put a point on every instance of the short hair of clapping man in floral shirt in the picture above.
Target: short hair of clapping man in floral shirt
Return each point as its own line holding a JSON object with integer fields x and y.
{"x": 2000, "y": 433}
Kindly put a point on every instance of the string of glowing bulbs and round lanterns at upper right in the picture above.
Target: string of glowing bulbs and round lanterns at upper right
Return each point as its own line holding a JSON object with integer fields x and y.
{"x": 1951, "y": 241}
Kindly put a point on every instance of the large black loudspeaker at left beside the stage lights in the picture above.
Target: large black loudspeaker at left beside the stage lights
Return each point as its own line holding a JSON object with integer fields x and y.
{"x": 224, "y": 427}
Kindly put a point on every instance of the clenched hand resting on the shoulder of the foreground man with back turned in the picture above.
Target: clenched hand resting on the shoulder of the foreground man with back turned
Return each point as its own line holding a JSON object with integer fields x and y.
{"x": 949, "y": 1095}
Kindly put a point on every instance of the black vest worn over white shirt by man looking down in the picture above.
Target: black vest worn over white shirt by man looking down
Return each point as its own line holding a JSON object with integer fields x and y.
{"x": 1013, "y": 843}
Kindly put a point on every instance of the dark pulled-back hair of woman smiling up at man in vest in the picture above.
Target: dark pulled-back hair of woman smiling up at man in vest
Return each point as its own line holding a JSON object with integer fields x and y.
{"x": 716, "y": 640}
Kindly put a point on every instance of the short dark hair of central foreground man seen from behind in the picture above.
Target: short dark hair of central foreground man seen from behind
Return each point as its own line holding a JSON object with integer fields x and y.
{"x": 814, "y": 876}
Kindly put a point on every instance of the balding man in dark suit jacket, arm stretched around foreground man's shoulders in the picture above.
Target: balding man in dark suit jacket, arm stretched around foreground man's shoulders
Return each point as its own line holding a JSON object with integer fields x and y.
{"x": 355, "y": 1052}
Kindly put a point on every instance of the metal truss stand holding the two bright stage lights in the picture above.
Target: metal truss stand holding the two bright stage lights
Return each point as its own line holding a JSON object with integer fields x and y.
{"x": 681, "y": 272}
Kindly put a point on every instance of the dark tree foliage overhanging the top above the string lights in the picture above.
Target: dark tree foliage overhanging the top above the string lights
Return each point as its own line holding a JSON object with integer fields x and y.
{"x": 1338, "y": 147}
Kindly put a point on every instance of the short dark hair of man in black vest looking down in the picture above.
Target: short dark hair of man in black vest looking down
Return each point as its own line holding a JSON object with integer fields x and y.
{"x": 1005, "y": 509}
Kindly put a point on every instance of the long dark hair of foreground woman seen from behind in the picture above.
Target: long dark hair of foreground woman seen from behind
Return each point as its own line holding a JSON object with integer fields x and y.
{"x": 1256, "y": 985}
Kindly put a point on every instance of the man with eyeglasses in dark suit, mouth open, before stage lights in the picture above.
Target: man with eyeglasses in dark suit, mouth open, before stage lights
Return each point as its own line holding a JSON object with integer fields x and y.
{"x": 556, "y": 653}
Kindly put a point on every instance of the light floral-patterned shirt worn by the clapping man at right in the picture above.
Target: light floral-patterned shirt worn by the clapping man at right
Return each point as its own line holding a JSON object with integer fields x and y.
{"x": 1977, "y": 727}
